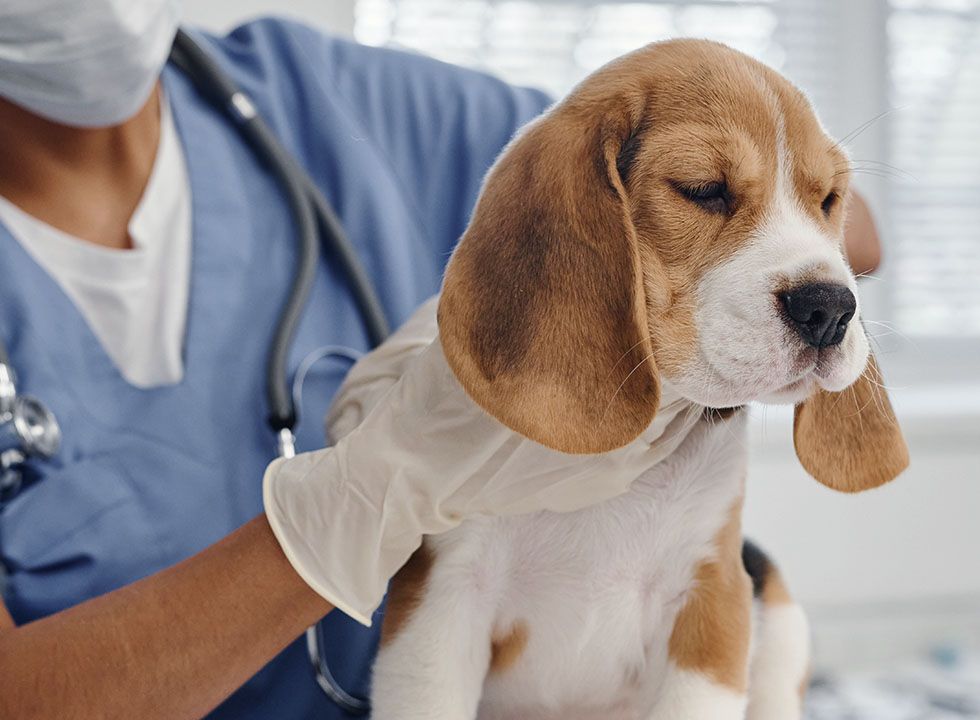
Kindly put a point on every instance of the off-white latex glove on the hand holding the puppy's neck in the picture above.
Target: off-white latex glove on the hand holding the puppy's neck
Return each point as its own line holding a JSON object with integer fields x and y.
{"x": 423, "y": 459}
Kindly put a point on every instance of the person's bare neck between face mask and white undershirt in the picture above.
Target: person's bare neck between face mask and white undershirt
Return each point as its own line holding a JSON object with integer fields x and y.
{"x": 85, "y": 182}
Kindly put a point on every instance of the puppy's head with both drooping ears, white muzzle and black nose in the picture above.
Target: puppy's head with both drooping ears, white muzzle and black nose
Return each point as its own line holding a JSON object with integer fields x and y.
{"x": 678, "y": 215}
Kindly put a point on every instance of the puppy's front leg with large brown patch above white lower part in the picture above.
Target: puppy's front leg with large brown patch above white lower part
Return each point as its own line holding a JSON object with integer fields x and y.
{"x": 707, "y": 673}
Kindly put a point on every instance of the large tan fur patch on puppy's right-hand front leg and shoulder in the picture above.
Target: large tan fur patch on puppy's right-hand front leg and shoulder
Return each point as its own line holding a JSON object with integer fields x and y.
{"x": 712, "y": 631}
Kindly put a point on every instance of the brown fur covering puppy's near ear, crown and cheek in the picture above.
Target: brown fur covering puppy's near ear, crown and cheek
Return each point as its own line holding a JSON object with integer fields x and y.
{"x": 574, "y": 286}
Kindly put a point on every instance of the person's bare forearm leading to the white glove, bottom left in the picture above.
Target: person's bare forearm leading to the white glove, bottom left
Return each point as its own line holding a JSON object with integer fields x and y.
{"x": 170, "y": 646}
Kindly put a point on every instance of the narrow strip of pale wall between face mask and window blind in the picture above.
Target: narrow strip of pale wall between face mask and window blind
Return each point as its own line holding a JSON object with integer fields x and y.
{"x": 336, "y": 16}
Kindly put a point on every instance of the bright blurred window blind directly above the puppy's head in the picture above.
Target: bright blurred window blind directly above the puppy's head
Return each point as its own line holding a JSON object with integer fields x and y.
{"x": 552, "y": 44}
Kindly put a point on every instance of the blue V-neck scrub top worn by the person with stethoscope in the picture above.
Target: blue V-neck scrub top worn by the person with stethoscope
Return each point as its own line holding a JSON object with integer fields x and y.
{"x": 145, "y": 478}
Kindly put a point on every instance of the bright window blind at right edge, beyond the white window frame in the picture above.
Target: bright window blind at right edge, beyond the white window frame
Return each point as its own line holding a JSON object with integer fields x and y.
{"x": 935, "y": 191}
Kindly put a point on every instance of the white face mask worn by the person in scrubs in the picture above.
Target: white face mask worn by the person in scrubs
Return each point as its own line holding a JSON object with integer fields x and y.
{"x": 86, "y": 63}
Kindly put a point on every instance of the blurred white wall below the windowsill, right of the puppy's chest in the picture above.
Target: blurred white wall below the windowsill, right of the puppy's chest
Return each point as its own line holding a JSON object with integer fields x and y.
{"x": 892, "y": 572}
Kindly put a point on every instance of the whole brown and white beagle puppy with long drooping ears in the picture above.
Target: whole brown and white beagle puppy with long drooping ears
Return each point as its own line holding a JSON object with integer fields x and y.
{"x": 672, "y": 229}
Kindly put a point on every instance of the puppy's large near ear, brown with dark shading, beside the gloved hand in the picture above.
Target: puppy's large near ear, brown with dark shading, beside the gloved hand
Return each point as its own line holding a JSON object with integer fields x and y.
{"x": 542, "y": 315}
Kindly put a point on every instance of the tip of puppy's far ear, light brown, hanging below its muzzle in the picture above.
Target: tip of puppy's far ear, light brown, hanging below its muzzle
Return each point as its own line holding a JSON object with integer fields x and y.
{"x": 850, "y": 440}
